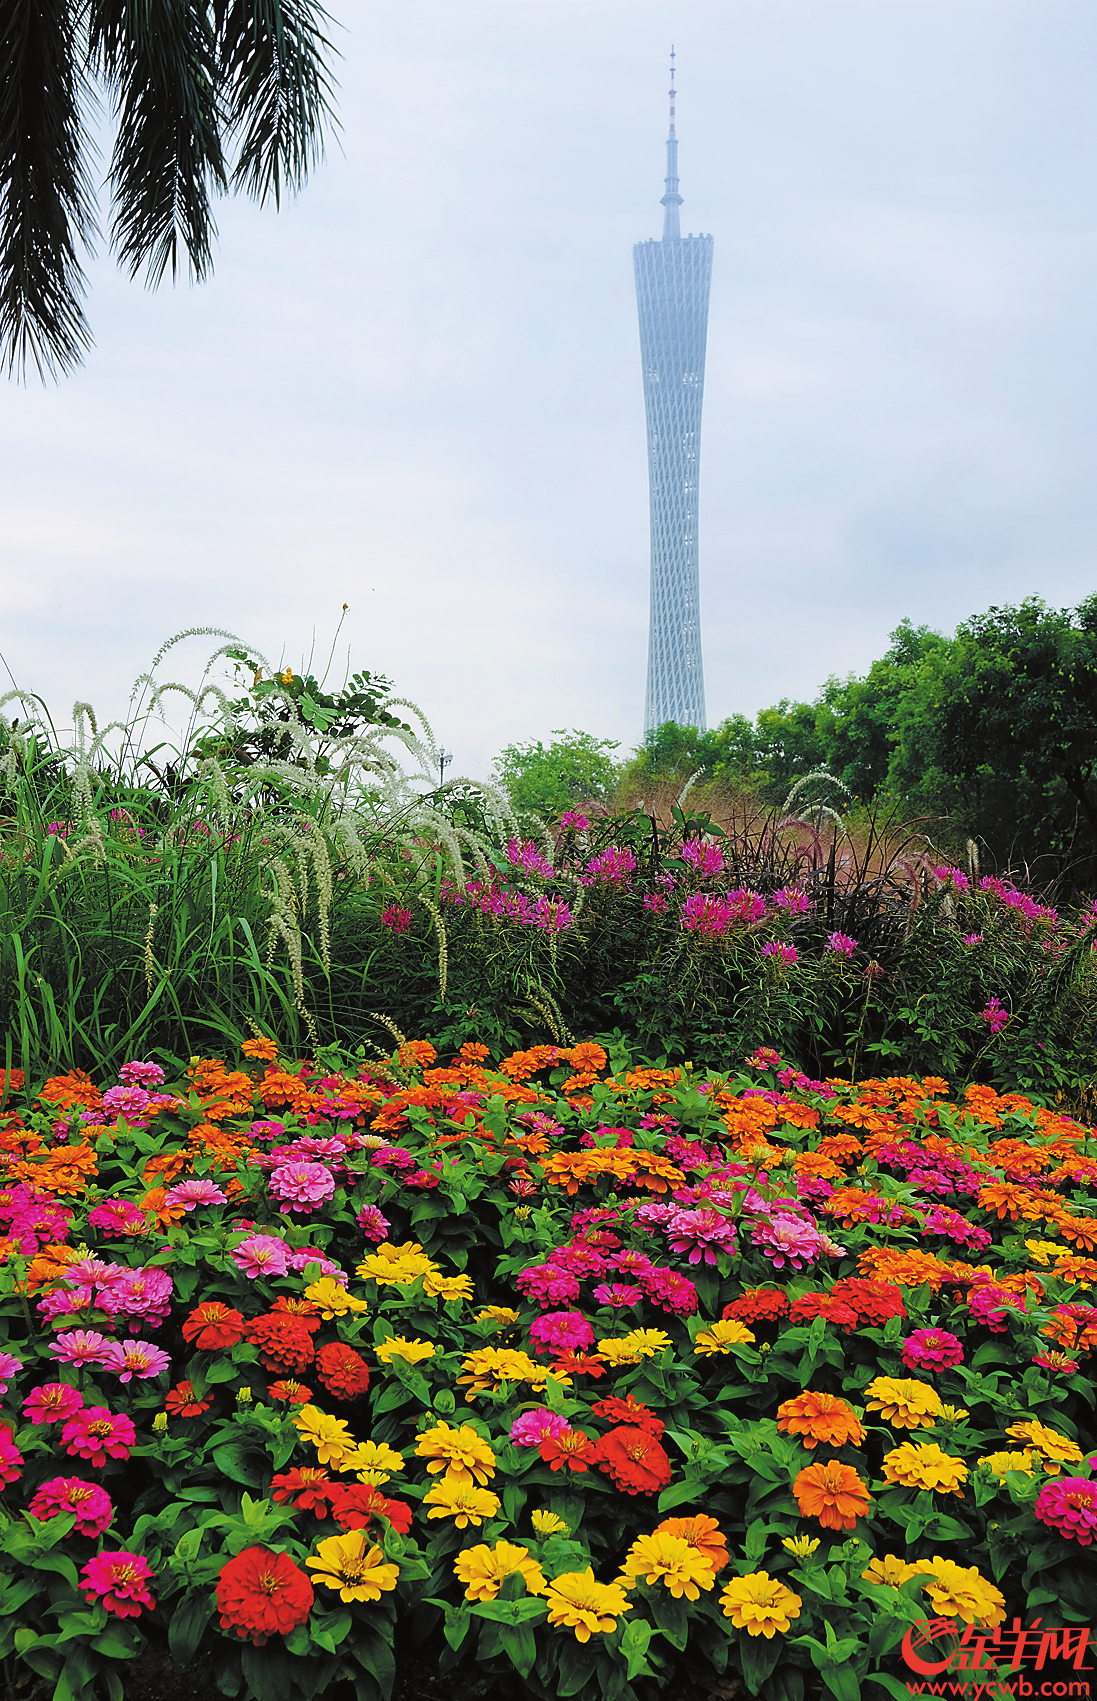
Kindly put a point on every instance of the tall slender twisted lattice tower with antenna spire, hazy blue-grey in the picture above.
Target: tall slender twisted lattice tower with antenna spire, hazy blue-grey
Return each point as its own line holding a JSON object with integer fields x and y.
{"x": 673, "y": 297}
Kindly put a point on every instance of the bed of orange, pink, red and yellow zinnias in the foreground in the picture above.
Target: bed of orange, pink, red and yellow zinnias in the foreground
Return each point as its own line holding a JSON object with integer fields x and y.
{"x": 617, "y": 1384}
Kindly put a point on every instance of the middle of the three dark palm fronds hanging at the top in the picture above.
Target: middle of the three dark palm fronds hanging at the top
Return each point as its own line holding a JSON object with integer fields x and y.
{"x": 159, "y": 60}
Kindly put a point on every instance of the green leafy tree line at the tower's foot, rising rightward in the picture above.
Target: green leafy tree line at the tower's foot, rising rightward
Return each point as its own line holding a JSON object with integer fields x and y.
{"x": 991, "y": 734}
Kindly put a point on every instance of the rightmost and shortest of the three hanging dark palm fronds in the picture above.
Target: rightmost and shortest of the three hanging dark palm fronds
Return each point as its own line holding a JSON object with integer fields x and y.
{"x": 278, "y": 91}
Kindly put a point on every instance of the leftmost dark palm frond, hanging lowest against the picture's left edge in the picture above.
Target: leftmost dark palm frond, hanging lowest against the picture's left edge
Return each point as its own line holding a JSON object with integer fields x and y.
{"x": 47, "y": 207}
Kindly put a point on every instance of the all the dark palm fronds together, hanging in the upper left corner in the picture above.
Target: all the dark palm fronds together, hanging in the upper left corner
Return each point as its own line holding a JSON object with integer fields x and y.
{"x": 208, "y": 98}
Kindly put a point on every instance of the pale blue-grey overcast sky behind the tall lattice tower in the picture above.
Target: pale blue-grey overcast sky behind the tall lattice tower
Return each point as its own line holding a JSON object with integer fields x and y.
{"x": 418, "y": 389}
